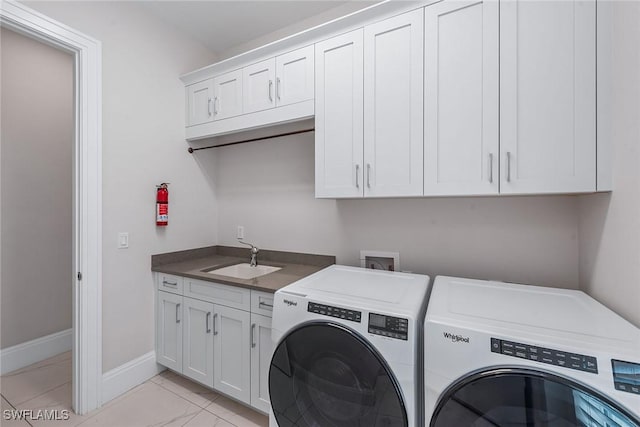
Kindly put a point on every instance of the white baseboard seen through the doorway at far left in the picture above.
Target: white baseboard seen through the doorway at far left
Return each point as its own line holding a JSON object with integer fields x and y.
{"x": 25, "y": 354}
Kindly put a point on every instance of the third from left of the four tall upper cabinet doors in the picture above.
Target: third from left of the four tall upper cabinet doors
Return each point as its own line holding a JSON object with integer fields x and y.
{"x": 461, "y": 98}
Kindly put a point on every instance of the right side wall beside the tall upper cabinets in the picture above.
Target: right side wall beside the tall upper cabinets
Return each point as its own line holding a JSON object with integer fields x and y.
{"x": 610, "y": 223}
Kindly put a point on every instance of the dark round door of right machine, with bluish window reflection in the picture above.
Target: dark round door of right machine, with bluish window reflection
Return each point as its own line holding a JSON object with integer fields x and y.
{"x": 521, "y": 397}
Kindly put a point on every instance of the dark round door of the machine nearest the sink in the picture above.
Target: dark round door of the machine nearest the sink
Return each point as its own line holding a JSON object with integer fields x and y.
{"x": 326, "y": 375}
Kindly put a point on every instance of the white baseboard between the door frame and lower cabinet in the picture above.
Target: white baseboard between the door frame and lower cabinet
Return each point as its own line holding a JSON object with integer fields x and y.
{"x": 125, "y": 377}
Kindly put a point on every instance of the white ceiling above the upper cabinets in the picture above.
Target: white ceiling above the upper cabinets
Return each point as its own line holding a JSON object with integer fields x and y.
{"x": 222, "y": 25}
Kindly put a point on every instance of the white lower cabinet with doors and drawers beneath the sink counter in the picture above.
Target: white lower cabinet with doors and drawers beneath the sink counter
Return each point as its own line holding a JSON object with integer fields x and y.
{"x": 225, "y": 348}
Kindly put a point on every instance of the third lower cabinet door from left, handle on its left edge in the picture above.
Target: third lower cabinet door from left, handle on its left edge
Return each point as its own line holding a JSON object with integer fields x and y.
{"x": 232, "y": 352}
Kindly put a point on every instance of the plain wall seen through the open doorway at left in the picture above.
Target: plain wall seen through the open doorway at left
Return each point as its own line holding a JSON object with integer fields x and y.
{"x": 37, "y": 126}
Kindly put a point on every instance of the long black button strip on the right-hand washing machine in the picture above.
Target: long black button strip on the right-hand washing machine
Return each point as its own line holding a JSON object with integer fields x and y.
{"x": 550, "y": 356}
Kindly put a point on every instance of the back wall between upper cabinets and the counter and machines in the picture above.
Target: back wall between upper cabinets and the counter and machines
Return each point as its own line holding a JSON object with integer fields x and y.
{"x": 268, "y": 187}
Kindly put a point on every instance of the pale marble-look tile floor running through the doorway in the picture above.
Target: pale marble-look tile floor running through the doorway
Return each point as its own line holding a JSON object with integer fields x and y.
{"x": 167, "y": 399}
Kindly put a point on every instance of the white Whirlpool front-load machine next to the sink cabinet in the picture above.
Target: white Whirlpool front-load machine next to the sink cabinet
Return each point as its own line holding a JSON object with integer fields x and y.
{"x": 347, "y": 349}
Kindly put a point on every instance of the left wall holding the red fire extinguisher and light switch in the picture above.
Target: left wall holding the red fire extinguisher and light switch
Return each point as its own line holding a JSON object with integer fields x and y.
{"x": 143, "y": 145}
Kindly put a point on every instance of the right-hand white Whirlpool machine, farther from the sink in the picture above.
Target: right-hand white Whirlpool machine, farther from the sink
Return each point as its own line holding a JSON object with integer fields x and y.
{"x": 499, "y": 354}
